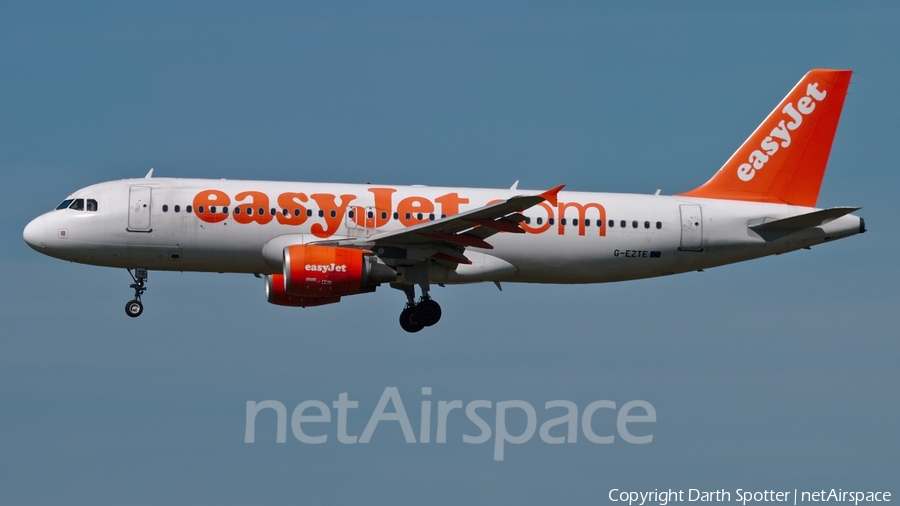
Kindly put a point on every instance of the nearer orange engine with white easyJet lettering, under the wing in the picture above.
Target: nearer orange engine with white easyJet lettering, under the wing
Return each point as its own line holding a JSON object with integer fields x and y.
{"x": 329, "y": 271}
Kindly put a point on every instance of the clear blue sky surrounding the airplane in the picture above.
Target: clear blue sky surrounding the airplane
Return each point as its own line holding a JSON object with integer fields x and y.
{"x": 774, "y": 374}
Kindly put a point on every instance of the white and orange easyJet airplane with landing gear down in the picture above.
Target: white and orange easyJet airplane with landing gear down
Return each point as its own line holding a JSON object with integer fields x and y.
{"x": 315, "y": 243}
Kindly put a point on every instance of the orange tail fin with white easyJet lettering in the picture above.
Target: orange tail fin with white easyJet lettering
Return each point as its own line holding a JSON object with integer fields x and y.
{"x": 784, "y": 160}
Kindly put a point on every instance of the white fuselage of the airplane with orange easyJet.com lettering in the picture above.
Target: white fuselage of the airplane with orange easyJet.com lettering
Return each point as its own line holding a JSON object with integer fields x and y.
{"x": 136, "y": 225}
